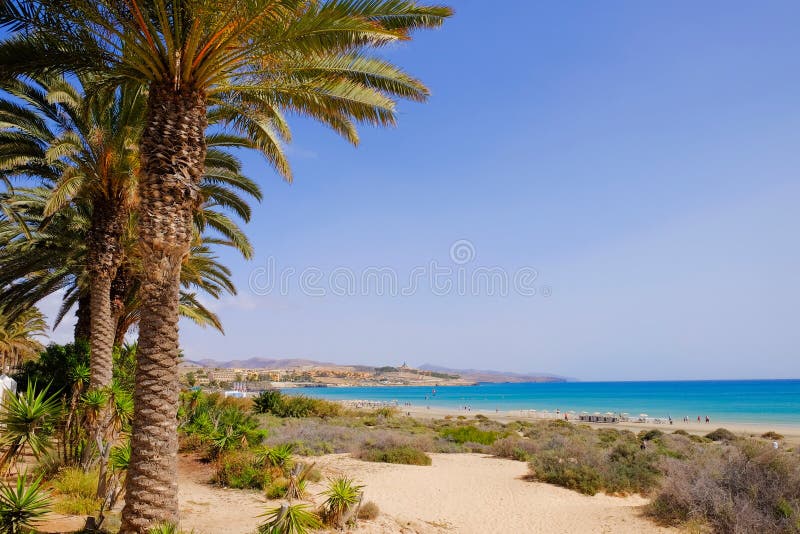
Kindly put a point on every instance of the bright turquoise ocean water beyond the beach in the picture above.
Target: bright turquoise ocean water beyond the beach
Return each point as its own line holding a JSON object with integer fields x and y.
{"x": 743, "y": 401}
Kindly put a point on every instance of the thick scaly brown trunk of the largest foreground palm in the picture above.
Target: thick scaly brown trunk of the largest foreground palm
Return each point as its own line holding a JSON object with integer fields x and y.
{"x": 172, "y": 157}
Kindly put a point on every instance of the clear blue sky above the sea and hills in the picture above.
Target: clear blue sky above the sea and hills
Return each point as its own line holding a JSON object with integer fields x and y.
{"x": 642, "y": 157}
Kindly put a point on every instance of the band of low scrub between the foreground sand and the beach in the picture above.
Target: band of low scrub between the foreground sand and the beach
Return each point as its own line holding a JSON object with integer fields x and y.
{"x": 725, "y": 482}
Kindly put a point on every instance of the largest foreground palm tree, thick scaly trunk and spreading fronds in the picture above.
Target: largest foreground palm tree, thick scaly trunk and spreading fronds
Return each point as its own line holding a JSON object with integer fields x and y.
{"x": 247, "y": 60}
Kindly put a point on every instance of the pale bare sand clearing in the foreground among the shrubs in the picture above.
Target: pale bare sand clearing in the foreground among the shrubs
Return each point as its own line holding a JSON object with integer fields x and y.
{"x": 464, "y": 493}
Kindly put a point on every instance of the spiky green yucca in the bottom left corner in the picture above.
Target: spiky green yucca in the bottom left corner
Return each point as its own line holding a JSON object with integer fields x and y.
{"x": 22, "y": 506}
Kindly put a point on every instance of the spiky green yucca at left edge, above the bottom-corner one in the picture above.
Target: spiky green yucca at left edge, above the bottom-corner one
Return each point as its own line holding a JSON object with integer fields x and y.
{"x": 28, "y": 422}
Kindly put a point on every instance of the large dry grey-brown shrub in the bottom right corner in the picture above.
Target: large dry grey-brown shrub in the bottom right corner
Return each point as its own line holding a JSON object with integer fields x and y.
{"x": 740, "y": 488}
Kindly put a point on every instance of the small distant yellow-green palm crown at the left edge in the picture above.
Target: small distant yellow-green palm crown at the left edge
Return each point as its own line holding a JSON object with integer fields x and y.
{"x": 17, "y": 337}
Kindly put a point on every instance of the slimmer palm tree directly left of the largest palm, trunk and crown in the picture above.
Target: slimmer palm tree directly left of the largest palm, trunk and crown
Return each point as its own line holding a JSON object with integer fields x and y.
{"x": 89, "y": 152}
